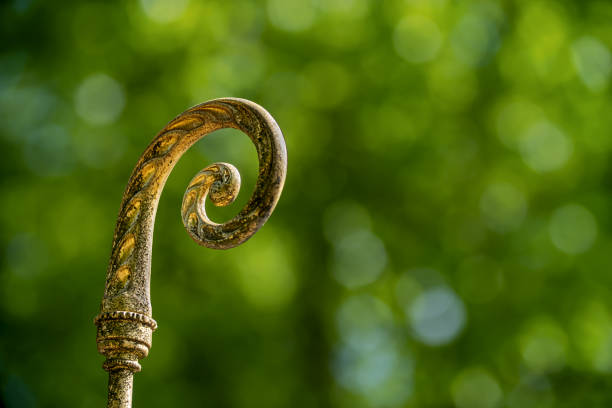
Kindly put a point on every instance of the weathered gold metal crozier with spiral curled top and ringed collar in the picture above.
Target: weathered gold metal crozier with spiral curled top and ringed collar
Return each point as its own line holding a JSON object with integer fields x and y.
{"x": 125, "y": 325}
